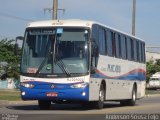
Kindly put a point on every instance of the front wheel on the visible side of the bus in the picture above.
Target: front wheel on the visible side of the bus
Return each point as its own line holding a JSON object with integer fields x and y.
{"x": 100, "y": 103}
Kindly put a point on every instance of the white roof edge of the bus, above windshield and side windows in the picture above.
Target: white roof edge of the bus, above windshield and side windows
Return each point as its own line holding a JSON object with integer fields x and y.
{"x": 73, "y": 23}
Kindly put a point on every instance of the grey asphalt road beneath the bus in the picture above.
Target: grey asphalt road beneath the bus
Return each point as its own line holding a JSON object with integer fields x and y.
{"x": 30, "y": 110}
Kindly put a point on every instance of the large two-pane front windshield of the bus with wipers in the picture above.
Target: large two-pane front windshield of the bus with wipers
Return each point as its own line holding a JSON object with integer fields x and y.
{"x": 55, "y": 51}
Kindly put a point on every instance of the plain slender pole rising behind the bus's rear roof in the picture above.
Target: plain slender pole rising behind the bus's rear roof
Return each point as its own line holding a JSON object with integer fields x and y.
{"x": 134, "y": 17}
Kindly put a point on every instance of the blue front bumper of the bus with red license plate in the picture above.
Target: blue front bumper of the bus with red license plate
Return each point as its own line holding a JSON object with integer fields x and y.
{"x": 70, "y": 94}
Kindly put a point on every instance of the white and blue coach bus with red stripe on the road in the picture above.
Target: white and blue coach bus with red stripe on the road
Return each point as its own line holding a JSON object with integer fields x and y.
{"x": 81, "y": 61}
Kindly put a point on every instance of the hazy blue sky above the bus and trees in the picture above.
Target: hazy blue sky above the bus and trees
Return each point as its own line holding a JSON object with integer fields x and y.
{"x": 16, "y": 14}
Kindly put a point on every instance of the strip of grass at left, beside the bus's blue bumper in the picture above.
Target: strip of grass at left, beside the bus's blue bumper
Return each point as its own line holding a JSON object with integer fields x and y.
{"x": 10, "y": 95}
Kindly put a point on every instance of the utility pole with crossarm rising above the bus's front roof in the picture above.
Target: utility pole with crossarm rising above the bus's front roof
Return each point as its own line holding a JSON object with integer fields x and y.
{"x": 54, "y": 10}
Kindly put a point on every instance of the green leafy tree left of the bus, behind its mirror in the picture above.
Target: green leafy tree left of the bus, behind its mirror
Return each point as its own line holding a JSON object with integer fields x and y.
{"x": 7, "y": 55}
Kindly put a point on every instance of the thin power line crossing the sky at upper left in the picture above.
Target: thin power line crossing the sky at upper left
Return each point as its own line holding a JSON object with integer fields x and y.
{"x": 15, "y": 17}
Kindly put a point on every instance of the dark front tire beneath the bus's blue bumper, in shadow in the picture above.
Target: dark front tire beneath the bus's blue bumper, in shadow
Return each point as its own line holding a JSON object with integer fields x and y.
{"x": 44, "y": 104}
